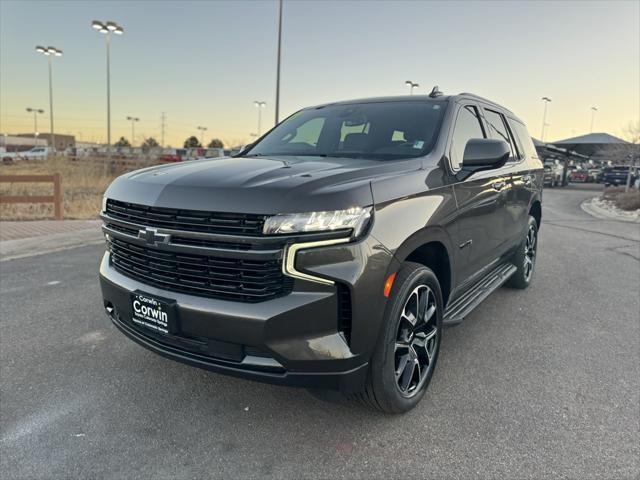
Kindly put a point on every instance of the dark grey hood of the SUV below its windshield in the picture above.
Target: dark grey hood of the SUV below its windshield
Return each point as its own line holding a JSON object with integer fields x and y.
{"x": 261, "y": 185}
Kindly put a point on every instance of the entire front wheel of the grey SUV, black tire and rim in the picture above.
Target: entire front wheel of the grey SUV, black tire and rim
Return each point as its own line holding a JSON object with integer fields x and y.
{"x": 414, "y": 285}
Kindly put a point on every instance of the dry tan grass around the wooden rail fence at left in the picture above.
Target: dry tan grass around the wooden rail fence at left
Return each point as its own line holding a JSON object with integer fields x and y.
{"x": 83, "y": 184}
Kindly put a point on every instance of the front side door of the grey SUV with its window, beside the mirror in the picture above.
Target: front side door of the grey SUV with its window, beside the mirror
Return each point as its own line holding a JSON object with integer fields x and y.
{"x": 479, "y": 200}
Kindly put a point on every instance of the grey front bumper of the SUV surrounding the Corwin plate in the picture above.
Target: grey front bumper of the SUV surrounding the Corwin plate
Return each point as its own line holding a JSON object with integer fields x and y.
{"x": 292, "y": 340}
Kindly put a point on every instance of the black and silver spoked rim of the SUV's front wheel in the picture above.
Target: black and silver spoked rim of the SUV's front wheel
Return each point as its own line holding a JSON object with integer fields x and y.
{"x": 416, "y": 341}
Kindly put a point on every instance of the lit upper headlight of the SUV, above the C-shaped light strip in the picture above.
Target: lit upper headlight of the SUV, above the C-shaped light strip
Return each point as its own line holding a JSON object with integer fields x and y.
{"x": 355, "y": 218}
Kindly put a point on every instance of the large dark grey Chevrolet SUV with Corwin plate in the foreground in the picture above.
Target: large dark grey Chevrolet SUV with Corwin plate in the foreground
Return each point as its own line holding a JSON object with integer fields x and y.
{"x": 330, "y": 253}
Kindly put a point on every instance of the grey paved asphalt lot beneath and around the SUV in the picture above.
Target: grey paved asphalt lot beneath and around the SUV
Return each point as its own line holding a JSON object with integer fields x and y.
{"x": 537, "y": 383}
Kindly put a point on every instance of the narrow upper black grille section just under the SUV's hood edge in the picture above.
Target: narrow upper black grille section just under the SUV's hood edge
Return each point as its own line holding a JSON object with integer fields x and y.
{"x": 189, "y": 220}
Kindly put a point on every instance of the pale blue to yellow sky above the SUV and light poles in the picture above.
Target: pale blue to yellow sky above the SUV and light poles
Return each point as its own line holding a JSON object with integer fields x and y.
{"x": 205, "y": 62}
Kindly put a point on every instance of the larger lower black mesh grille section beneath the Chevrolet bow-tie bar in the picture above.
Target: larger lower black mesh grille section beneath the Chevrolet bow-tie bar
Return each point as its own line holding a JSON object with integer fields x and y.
{"x": 224, "y": 278}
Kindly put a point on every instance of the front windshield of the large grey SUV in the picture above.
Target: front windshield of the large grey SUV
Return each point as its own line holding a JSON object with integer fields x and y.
{"x": 379, "y": 131}
